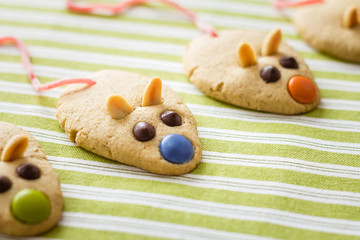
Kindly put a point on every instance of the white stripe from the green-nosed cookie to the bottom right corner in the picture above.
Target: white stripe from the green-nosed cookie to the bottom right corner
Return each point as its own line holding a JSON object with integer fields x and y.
{"x": 207, "y": 208}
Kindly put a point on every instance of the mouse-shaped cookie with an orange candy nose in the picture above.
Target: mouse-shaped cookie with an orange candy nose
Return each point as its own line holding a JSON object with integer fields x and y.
{"x": 252, "y": 70}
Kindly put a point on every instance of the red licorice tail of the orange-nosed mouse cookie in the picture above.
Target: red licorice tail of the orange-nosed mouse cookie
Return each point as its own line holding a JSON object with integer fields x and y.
{"x": 120, "y": 7}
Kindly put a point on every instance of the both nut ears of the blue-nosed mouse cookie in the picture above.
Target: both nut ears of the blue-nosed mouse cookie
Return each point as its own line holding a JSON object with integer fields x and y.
{"x": 118, "y": 107}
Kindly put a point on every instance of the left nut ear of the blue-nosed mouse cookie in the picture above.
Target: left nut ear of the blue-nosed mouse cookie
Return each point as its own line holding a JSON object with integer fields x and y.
{"x": 117, "y": 106}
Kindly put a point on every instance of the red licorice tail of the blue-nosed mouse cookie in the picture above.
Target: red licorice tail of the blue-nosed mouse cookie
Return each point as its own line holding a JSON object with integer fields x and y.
{"x": 25, "y": 58}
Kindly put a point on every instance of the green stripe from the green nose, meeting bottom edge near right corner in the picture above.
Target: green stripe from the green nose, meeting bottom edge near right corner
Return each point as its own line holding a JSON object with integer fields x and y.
{"x": 196, "y": 220}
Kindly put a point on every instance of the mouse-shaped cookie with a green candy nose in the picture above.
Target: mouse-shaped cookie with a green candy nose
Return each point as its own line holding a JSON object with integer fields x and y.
{"x": 30, "y": 196}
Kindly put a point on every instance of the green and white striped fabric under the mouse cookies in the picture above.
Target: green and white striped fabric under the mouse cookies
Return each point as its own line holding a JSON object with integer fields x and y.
{"x": 262, "y": 176}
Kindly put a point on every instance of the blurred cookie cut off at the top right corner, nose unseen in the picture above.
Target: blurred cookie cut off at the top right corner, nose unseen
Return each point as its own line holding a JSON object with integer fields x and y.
{"x": 332, "y": 27}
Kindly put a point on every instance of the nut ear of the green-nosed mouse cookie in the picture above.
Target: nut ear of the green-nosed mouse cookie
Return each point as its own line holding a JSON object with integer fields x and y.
{"x": 14, "y": 148}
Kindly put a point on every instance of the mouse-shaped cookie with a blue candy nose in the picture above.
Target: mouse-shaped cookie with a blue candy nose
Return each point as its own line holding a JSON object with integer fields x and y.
{"x": 132, "y": 119}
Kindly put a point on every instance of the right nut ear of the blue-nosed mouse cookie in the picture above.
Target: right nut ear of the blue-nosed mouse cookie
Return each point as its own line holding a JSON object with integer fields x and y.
{"x": 152, "y": 93}
